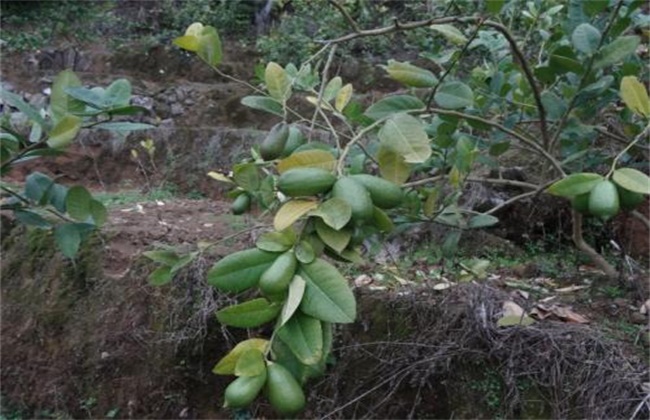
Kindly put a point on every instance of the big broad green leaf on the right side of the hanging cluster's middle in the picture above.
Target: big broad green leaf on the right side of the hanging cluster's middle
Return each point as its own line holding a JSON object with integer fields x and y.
{"x": 327, "y": 294}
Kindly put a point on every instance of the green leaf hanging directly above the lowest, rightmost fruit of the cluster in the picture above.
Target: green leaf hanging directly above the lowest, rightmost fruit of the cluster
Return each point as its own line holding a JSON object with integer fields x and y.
{"x": 304, "y": 336}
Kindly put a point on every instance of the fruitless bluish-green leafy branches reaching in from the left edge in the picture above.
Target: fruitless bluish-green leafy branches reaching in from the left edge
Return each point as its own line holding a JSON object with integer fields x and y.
{"x": 28, "y": 133}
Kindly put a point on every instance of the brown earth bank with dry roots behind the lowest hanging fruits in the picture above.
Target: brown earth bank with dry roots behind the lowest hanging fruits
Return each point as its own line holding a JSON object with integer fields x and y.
{"x": 91, "y": 338}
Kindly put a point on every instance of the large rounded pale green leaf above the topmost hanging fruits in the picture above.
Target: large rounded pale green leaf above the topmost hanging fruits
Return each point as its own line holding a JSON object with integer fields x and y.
{"x": 405, "y": 135}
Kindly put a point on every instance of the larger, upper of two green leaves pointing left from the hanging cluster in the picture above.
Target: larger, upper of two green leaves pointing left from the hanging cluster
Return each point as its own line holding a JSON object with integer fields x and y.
{"x": 241, "y": 270}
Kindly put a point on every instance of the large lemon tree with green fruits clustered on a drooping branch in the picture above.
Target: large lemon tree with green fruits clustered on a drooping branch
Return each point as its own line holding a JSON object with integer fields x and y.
{"x": 406, "y": 158}
